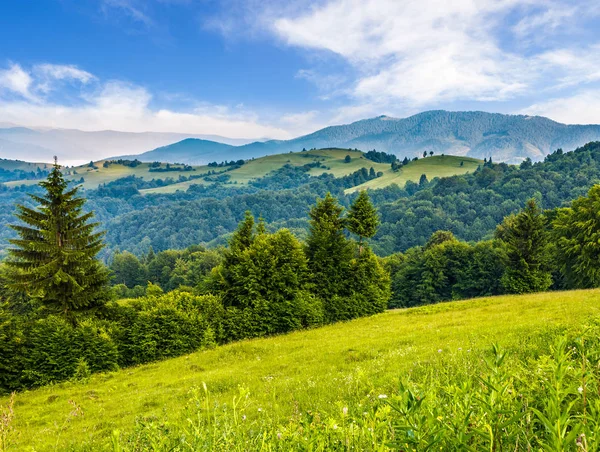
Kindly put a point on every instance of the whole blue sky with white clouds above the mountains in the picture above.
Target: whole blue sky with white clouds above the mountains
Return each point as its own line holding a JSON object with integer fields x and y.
{"x": 278, "y": 69}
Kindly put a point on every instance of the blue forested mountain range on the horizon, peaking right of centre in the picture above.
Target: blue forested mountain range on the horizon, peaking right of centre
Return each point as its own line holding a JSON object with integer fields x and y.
{"x": 508, "y": 138}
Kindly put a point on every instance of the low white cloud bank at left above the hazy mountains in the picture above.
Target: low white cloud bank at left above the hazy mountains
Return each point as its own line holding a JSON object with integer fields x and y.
{"x": 115, "y": 105}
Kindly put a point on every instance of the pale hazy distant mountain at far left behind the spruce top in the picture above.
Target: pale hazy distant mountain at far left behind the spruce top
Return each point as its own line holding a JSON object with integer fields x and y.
{"x": 77, "y": 146}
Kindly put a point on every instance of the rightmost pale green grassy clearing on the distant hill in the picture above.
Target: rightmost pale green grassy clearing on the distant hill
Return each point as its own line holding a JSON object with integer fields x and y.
{"x": 436, "y": 166}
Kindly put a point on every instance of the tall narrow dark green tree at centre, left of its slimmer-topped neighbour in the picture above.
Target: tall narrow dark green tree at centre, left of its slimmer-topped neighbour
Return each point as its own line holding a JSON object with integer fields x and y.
{"x": 328, "y": 250}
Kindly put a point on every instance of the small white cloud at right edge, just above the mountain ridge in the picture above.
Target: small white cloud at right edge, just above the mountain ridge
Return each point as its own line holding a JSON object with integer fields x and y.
{"x": 580, "y": 108}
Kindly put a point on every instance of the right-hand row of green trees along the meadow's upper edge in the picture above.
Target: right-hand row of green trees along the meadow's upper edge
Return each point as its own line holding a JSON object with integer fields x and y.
{"x": 532, "y": 251}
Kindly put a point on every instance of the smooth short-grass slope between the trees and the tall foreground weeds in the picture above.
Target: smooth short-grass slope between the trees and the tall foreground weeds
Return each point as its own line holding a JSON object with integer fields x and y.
{"x": 308, "y": 370}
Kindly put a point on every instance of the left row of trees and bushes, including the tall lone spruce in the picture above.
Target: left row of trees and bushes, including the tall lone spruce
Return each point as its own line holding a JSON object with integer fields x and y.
{"x": 60, "y": 319}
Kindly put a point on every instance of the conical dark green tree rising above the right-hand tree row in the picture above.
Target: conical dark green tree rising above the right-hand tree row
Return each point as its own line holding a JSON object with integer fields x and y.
{"x": 526, "y": 241}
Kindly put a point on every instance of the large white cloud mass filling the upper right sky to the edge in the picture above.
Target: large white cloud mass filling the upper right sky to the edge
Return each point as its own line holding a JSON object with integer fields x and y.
{"x": 427, "y": 52}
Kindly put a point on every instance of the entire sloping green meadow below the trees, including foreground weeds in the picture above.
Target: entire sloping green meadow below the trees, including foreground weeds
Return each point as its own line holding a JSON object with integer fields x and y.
{"x": 415, "y": 379}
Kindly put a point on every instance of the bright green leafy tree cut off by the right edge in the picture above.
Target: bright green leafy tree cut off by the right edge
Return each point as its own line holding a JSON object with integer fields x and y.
{"x": 576, "y": 234}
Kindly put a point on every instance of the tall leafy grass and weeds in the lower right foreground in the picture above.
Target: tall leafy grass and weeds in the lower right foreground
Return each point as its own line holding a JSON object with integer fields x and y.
{"x": 540, "y": 398}
